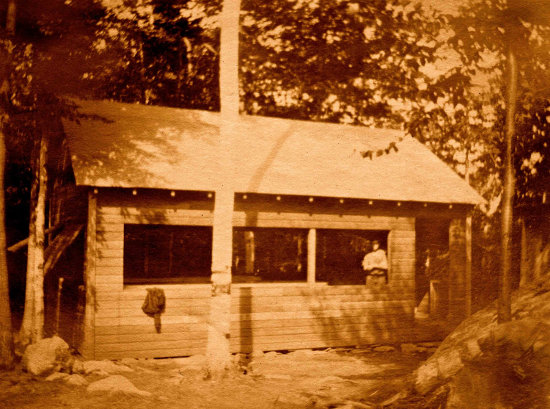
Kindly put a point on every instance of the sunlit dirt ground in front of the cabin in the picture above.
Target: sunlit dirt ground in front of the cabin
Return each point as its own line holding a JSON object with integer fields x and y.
{"x": 299, "y": 379}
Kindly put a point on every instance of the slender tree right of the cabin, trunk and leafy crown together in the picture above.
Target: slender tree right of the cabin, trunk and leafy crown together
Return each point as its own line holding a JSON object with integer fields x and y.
{"x": 508, "y": 37}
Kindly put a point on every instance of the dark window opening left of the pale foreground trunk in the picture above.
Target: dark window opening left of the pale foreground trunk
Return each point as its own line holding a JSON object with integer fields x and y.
{"x": 166, "y": 254}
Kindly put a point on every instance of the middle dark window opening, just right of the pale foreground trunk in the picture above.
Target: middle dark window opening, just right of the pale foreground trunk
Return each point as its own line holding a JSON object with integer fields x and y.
{"x": 269, "y": 255}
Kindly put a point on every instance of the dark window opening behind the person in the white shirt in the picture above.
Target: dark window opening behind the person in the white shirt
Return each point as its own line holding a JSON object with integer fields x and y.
{"x": 340, "y": 254}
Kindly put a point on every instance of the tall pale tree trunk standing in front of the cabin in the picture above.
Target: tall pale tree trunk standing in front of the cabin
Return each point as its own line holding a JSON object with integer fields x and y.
{"x": 218, "y": 353}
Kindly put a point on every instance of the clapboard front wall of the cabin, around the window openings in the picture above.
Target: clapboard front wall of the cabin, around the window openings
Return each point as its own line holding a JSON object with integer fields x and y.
{"x": 265, "y": 316}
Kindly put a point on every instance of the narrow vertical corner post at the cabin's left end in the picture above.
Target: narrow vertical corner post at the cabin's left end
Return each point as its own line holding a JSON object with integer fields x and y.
{"x": 88, "y": 344}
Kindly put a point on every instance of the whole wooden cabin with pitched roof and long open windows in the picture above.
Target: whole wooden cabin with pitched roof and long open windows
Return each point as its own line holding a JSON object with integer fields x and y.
{"x": 310, "y": 198}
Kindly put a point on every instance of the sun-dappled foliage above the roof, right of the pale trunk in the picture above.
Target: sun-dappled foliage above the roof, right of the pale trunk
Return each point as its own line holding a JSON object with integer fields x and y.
{"x": 340, "y": 61}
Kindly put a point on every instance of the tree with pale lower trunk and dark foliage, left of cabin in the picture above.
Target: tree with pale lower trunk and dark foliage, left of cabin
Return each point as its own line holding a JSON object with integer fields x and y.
{"x": 40, "y": 45}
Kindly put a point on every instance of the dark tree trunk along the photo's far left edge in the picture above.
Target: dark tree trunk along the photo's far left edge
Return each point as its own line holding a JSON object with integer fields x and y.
{"x": 7, "y": 355}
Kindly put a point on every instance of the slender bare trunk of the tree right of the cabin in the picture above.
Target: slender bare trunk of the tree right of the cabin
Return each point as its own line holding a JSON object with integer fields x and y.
{"x": 504, "y": 298}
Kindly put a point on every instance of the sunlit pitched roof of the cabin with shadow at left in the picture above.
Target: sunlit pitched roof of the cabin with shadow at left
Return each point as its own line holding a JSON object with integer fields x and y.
{"x": 135, "y": 146}
